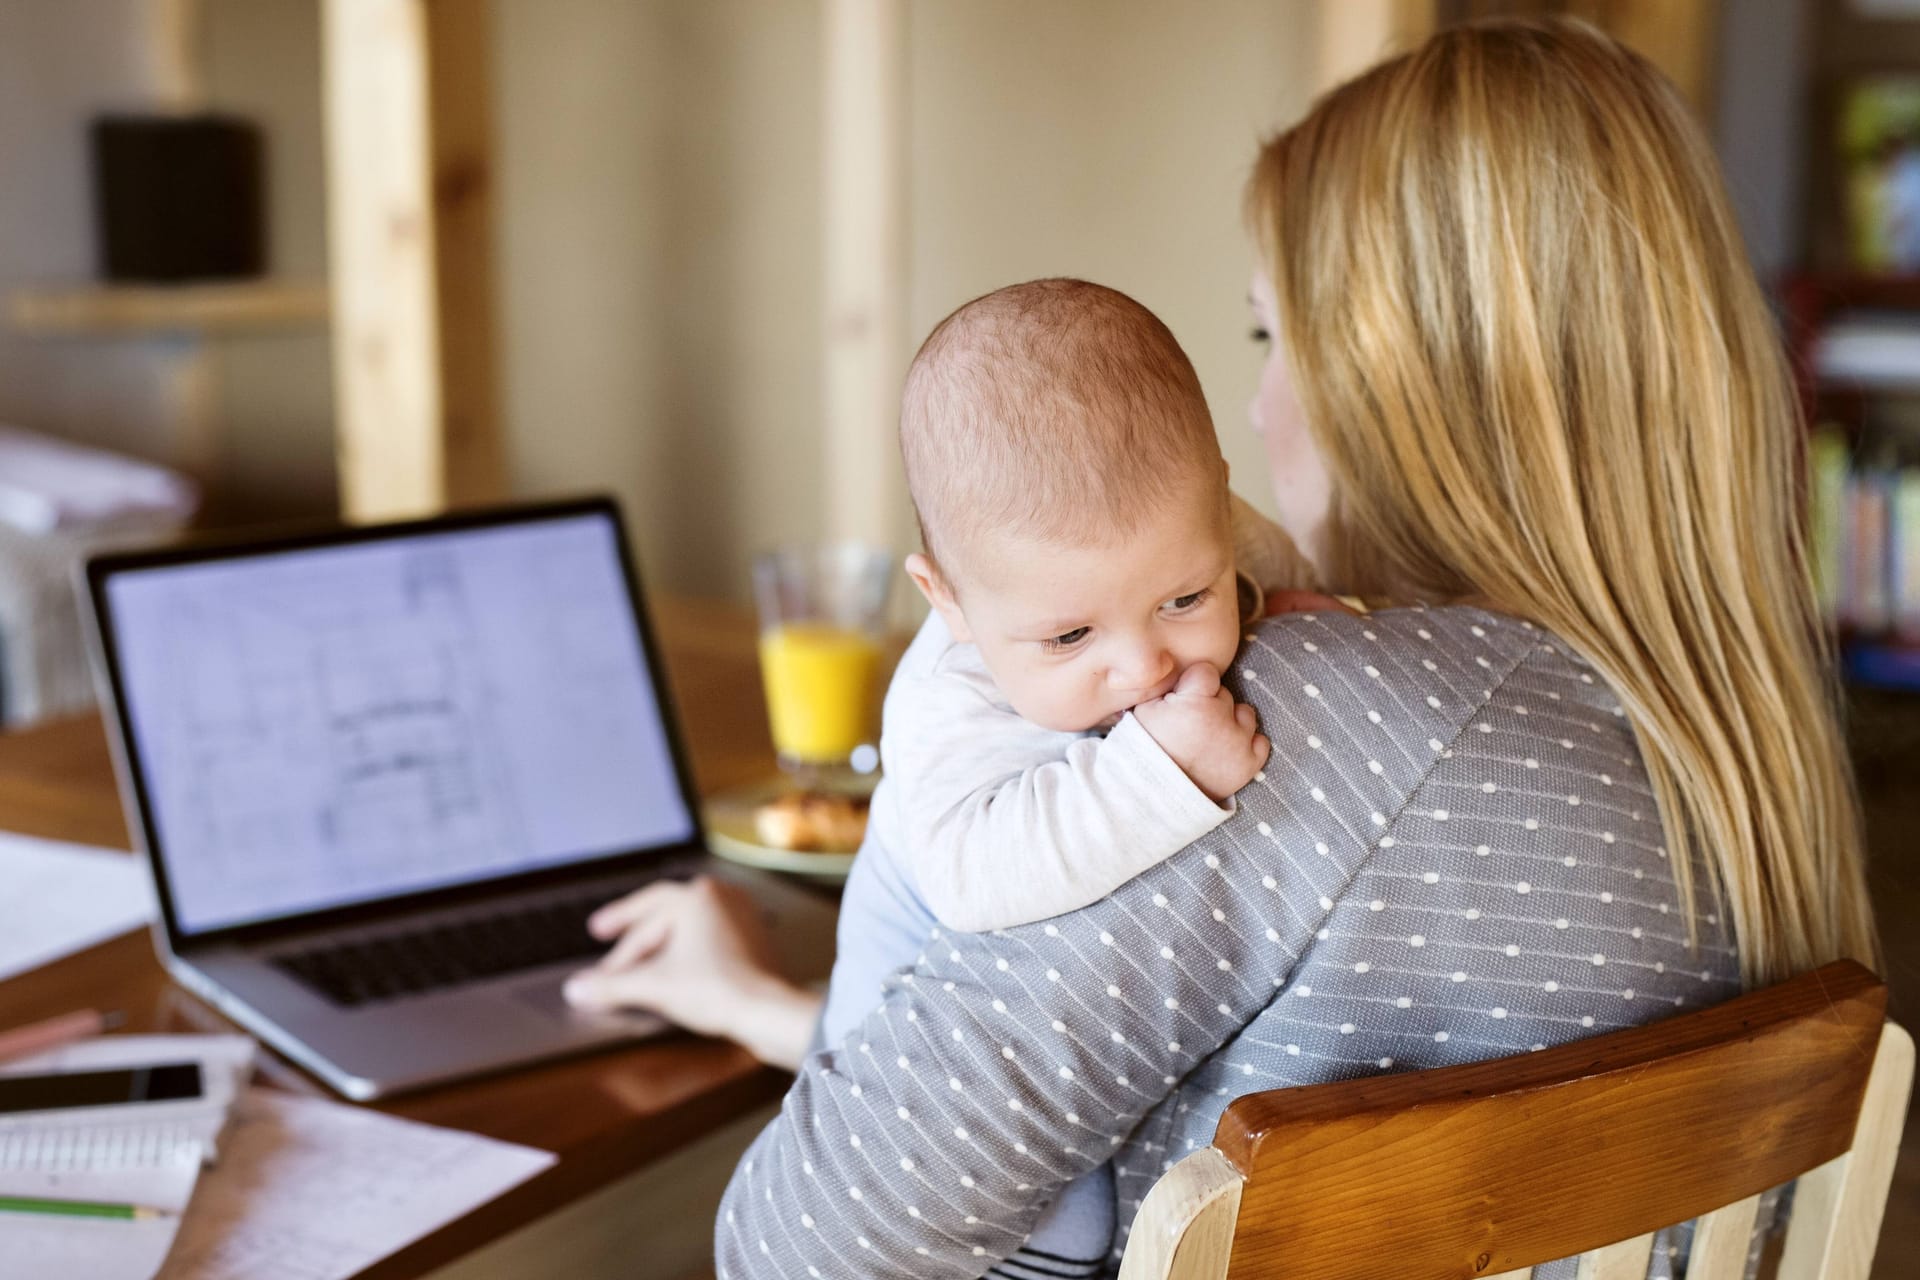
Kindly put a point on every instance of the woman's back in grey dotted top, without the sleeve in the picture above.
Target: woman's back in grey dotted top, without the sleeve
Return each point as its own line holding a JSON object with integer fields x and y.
{"x": 1520, "y": 897}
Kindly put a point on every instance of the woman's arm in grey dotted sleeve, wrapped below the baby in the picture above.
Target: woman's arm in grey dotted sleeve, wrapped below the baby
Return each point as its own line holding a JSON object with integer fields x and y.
{"x": 1007, "y": 1064}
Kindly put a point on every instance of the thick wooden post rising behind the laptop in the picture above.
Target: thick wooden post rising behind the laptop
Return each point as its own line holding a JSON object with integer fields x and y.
{"x": 410, "y": 224}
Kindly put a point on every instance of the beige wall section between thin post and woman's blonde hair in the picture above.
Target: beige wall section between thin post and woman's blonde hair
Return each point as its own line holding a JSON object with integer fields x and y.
{"x": 1105, "y": 141}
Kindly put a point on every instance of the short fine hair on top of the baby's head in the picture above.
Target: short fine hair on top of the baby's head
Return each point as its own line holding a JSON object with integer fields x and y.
{"x": 1059, "y": 410}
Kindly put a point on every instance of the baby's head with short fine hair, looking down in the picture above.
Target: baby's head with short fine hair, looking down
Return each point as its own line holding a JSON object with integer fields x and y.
{"x": 1072, "y": 500}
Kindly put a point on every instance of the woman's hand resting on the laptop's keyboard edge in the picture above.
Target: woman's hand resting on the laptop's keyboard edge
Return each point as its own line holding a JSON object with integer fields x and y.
{"x": 698, "y": 955}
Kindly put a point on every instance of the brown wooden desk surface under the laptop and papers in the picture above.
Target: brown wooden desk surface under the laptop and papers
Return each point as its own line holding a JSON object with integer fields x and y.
{"x": 604, "y": 1114}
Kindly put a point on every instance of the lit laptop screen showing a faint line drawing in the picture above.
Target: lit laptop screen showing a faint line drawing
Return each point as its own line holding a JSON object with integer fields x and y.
{"x": 352, "y": 723}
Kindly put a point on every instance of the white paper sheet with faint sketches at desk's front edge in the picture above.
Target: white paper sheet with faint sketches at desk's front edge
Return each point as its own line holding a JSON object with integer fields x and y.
{"x": 316, "y": 1191}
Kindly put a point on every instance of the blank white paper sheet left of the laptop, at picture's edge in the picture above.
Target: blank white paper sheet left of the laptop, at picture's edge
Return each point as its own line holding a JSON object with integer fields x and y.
{"x": 60, "y": 899}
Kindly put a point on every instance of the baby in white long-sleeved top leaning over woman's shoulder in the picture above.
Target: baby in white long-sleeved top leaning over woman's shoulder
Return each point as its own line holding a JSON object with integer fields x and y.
{"x": 1059, "y": 723}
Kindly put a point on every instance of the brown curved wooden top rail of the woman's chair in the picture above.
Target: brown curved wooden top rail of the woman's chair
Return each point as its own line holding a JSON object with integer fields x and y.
{"x": 1443, "y": 1172}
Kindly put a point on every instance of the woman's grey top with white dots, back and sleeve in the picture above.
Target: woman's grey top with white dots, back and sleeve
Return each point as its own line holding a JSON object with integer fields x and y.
{"x": 1454, "y": 855}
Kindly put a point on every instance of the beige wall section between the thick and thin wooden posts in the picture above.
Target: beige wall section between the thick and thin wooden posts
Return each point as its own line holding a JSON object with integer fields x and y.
{"x": 660, "y": 241}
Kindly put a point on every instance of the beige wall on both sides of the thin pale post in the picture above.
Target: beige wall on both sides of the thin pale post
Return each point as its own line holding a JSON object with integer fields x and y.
{"x": 661, "y": 225}
